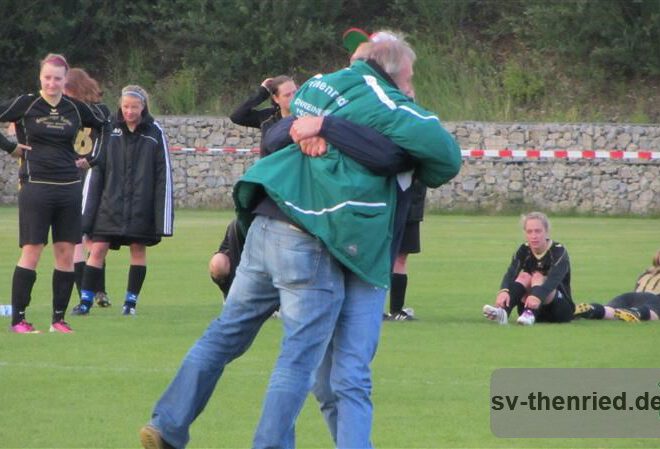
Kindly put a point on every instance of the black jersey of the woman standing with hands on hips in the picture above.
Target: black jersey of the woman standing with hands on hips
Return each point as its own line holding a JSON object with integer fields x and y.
{"x": 51, "y": 131}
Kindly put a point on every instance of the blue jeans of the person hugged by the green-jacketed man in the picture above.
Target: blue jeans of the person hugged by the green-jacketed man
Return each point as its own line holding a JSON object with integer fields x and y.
{"x": 343, "y": 381}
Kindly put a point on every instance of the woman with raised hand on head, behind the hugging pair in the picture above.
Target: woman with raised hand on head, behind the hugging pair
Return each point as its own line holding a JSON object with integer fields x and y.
{"x": 222, "y": 266}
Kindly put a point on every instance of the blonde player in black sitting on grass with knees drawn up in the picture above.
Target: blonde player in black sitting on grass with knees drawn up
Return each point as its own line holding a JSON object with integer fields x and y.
{"x": 538, "y": 281}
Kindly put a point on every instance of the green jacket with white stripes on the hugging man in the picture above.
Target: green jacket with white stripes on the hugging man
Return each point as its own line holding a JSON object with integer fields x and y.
{"x": 333, "y": 197}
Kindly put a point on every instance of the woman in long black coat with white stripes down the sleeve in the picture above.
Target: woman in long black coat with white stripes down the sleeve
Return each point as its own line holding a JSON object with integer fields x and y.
{"x": 135, "y": 198}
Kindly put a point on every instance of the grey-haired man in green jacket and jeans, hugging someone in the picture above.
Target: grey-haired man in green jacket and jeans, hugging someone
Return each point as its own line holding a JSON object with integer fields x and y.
{"x": 321, "y": 233}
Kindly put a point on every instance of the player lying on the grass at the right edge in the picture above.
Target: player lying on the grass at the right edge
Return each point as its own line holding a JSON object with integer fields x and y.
{"x": 642, "y": 304}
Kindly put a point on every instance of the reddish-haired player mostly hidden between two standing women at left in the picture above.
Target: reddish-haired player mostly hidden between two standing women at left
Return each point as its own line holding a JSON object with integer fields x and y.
{"x": 81, "y": 86}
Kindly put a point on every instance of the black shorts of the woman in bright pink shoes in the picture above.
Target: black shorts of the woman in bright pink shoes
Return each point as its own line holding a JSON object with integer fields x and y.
{"x": 45, "y": 206}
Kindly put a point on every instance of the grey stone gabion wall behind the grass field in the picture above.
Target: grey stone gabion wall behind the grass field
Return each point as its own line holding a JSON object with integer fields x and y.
{"x": 599, "y": 186}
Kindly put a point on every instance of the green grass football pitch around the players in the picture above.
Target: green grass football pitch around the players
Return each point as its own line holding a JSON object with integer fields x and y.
{"x": 96, "y": 388}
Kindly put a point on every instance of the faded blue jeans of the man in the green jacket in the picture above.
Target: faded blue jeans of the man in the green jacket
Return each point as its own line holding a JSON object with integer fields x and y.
{"x": 281, "y": 266}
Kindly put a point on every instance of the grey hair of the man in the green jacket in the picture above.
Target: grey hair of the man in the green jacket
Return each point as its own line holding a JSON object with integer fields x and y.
{"x": 389, "y": 53}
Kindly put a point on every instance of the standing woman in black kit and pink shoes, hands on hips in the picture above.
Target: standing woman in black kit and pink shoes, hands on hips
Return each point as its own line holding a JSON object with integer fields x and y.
{"x": 50, "y": 187}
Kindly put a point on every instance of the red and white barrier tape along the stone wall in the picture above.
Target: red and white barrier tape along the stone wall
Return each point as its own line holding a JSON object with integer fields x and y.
{"x": 478, "y": 153}
